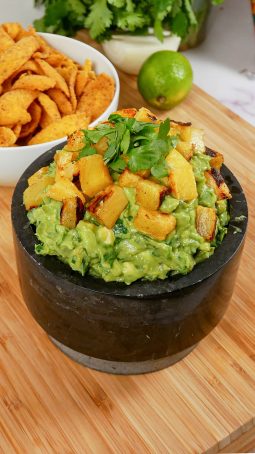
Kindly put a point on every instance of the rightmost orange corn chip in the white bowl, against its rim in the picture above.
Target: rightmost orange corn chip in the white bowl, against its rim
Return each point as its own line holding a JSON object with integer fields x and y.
{"x": 97, "y": 96}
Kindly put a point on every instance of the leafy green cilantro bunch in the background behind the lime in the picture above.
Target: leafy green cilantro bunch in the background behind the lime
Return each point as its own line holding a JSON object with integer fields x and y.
{"x": 106, "y": 17}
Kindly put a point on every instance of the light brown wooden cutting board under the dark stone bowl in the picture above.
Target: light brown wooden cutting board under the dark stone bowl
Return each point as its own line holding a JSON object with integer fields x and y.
{"x": 49, "y": 404}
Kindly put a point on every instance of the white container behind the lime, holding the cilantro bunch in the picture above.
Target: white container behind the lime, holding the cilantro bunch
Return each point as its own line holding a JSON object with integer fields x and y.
{"x": 128, "y": 53}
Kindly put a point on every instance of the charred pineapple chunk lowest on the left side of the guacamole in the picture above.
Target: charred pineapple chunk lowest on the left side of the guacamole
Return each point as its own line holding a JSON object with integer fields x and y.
{"x": 72, "y": 212}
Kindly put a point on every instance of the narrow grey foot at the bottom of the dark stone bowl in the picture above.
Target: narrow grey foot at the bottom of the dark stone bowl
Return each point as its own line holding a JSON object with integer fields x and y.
{"x": 119, "y": 367}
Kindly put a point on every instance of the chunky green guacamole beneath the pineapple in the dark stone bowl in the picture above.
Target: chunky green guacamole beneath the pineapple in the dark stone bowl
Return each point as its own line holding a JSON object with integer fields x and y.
{"x": 123, "y": 254}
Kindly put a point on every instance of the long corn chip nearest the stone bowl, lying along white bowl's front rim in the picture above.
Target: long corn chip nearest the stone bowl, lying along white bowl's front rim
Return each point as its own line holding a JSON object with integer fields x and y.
{"x": 61, "y": 128}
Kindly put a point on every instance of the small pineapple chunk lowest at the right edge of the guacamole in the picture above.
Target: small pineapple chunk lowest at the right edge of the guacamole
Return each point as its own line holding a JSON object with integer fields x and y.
{"x": 206, "y": 222}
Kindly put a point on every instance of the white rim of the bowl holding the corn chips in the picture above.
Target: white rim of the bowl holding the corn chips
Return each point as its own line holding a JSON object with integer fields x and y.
{"x": 54, "y": 142}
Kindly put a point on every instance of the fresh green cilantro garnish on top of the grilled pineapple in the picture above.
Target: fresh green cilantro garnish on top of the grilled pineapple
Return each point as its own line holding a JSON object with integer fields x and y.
{"x": 134, "y": 144}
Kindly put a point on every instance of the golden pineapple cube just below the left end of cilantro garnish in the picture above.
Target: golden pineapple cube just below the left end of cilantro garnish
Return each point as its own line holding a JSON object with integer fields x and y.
{"x": 94, "y": 174}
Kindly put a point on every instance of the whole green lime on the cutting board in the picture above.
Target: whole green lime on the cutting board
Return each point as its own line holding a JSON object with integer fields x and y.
{"x": 165, "y": 79}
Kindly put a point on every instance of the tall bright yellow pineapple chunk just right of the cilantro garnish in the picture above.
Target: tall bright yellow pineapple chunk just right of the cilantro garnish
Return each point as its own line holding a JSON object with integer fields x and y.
{"x": 181, "y": 177}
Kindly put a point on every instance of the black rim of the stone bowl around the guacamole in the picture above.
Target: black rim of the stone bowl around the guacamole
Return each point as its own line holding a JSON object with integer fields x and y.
{"x": 53, "y": 268}
